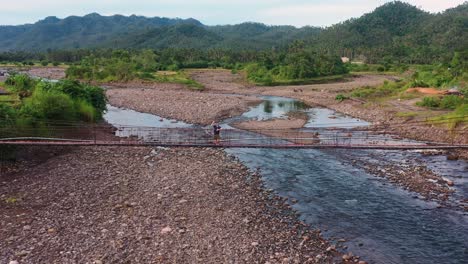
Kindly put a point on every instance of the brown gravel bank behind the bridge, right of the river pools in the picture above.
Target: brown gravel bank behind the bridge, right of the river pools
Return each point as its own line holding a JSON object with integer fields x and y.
{"x": 324, "y": 95}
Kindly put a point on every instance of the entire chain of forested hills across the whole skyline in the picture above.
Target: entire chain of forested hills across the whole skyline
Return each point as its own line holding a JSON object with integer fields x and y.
{"x": 395, "y": 30}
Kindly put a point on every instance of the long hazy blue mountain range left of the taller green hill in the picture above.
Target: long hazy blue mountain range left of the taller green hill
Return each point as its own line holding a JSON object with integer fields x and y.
{"x": 96, "y": 31}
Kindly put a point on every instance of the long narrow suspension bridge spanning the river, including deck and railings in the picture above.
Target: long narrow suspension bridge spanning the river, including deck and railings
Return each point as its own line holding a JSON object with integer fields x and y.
{"x": 306, "y": 138}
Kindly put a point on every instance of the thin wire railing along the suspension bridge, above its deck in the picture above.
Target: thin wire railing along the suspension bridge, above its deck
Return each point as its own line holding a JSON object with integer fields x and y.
{"x": 203, "y": 136}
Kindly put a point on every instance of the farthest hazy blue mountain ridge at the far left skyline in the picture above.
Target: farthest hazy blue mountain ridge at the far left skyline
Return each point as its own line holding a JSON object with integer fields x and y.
{"x": 78, "y": 32}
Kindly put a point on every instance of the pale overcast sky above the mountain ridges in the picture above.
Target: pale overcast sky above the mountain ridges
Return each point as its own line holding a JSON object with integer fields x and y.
{"x": 210, "y": 12}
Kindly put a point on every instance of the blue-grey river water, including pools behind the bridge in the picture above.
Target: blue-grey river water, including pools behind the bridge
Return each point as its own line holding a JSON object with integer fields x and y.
{"x": 380, "y": 222}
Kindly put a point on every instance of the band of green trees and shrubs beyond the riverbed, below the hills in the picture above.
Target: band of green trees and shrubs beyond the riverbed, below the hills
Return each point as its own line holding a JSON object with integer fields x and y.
{"x": 295, "y": 65}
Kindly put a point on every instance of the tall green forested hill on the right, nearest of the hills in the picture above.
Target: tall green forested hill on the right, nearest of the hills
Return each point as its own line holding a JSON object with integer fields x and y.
{"x": 399, "y": 30}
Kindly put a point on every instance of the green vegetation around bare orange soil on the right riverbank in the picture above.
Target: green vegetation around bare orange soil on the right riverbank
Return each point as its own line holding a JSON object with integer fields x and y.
{"x": 447, "y": 90}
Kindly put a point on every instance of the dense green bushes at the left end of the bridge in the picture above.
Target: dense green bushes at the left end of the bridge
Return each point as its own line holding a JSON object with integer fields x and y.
{"x": 41, "y": 102}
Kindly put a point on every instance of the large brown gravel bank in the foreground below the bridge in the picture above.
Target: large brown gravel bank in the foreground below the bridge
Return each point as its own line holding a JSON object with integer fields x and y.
{"x": 138, "y": 205}
